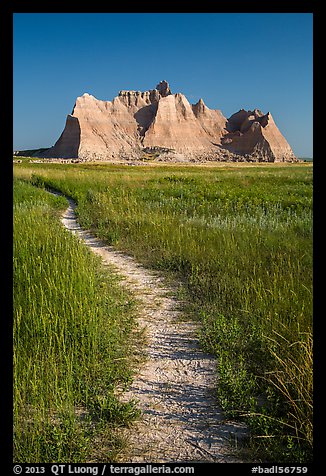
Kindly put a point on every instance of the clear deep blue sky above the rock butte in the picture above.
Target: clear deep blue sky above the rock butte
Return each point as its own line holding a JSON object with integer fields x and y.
{"x": 231, "y": 60}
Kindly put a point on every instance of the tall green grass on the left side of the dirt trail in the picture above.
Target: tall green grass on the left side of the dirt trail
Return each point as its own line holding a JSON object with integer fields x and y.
{"x": 72, "y": 328}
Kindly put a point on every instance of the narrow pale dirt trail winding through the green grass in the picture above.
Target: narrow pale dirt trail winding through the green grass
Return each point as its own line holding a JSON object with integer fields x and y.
{"x": 181, "y": 421}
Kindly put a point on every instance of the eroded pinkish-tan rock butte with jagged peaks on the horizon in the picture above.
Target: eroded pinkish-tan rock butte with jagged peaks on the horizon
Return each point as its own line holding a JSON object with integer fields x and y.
{"x": 166, "y": 127}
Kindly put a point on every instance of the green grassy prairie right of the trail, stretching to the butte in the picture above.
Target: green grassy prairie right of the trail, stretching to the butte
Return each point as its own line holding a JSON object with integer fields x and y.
{"x": 240, "y": 240}
